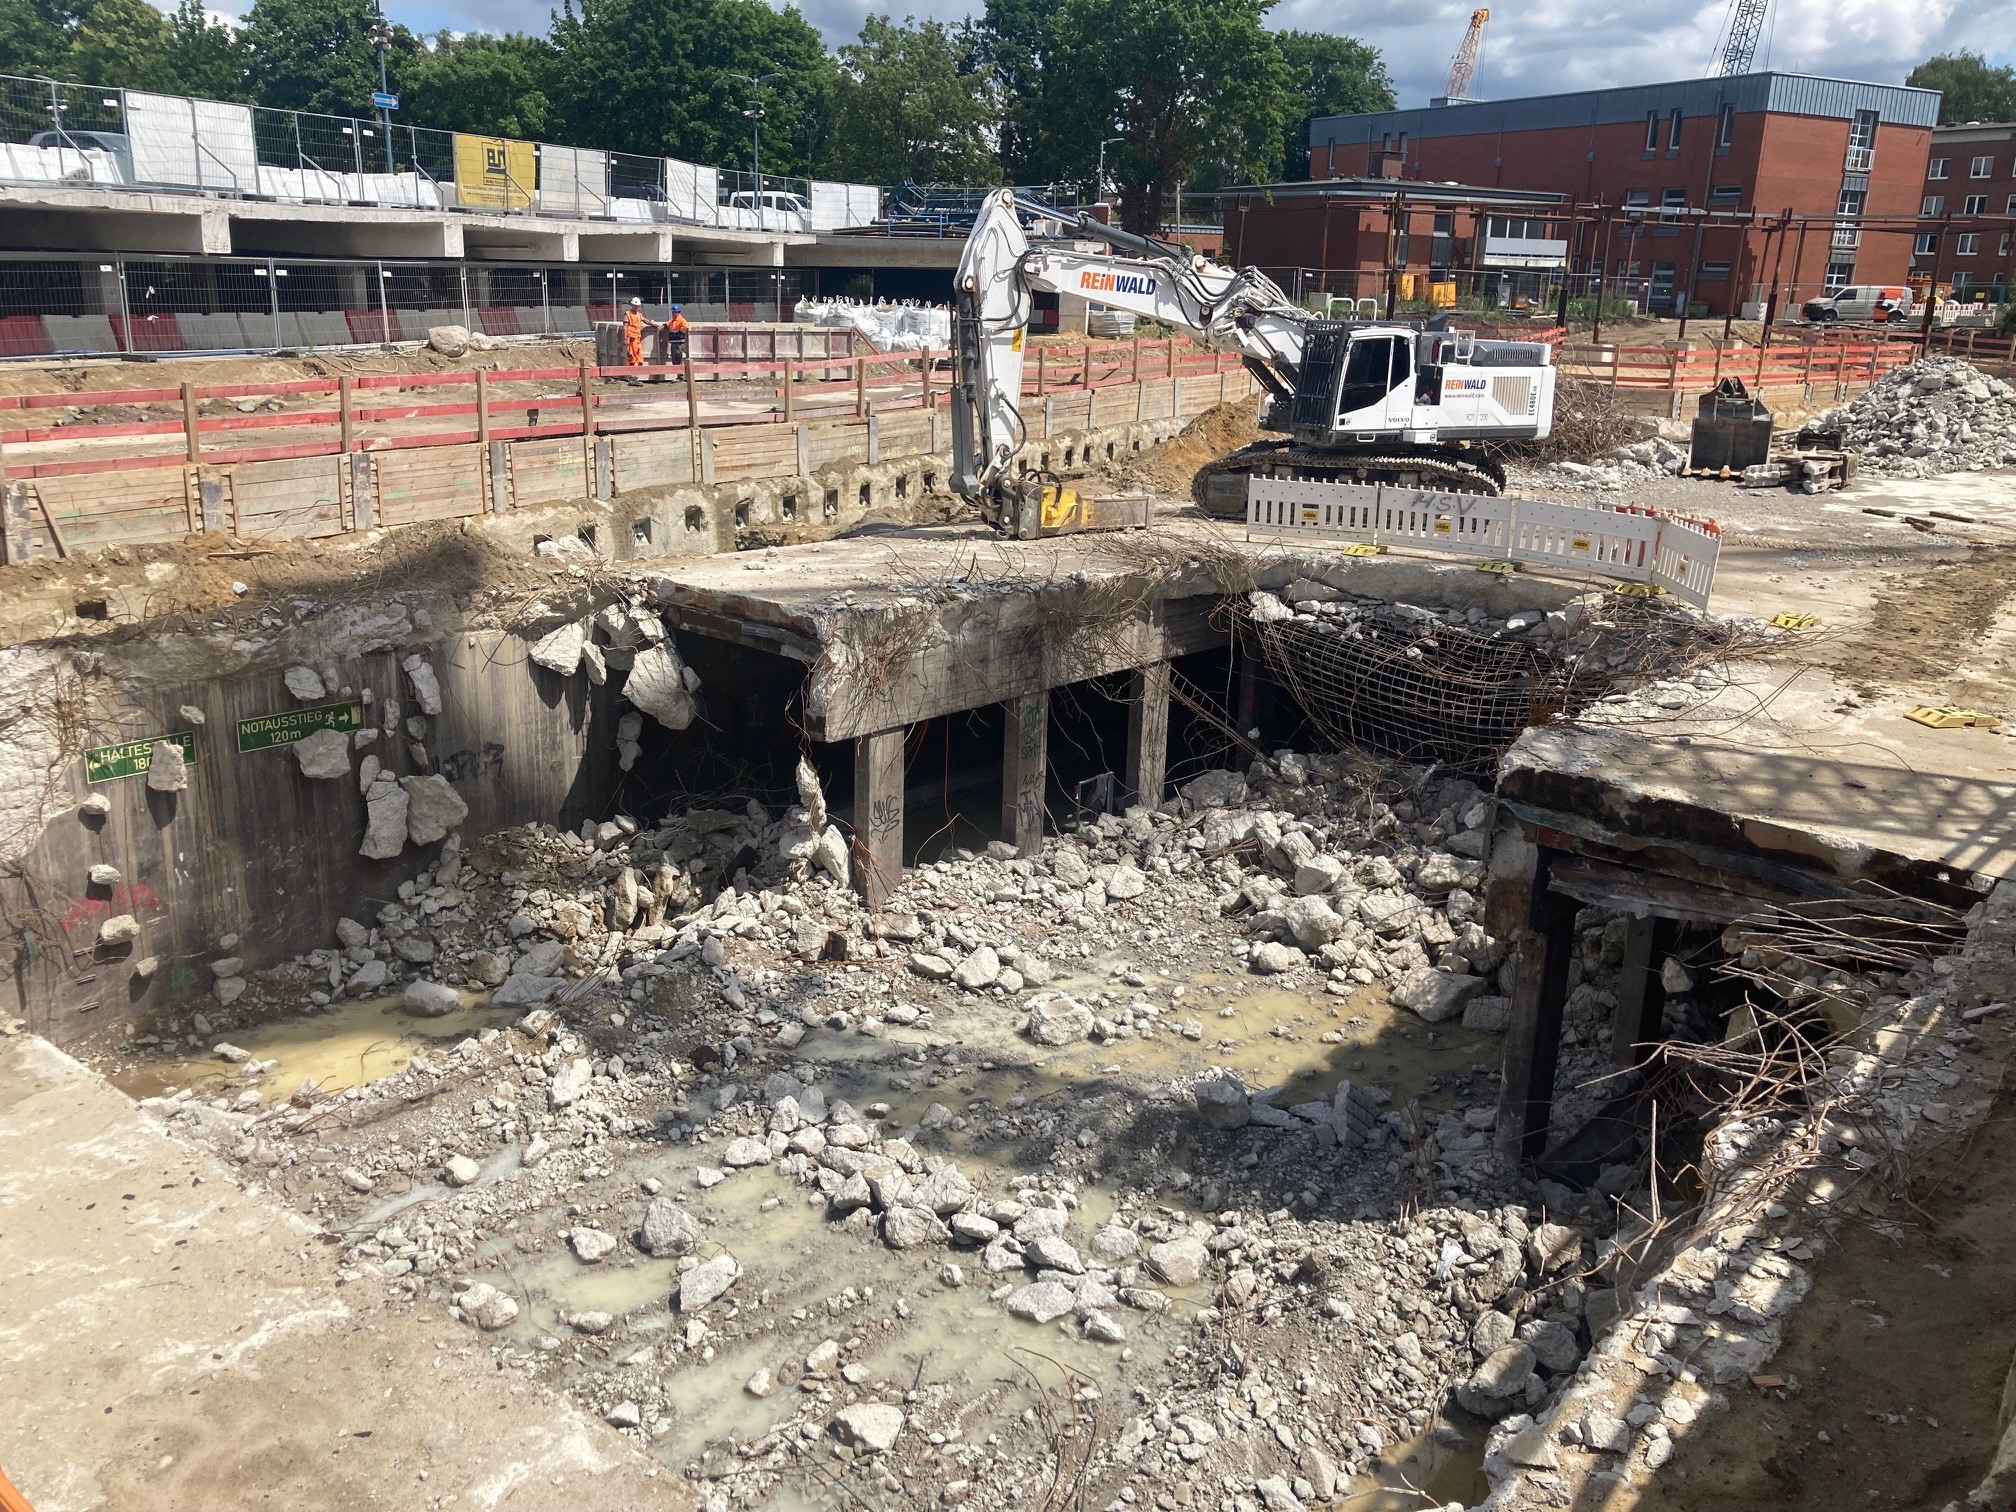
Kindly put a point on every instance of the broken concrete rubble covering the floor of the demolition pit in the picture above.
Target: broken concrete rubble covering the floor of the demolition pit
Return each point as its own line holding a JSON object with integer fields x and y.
{"x": 682, "y": 991}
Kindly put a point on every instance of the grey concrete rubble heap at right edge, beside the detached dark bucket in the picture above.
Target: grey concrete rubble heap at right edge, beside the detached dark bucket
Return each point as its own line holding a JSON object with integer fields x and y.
{"x": 1934, "y": 416}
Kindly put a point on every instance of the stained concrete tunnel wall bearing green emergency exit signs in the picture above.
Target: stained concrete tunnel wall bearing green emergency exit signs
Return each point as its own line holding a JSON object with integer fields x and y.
{"x": 257, "y": 850}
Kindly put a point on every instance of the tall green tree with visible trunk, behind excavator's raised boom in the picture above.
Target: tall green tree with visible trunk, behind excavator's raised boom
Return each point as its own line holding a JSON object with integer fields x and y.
{"x": 1196, "y": 90}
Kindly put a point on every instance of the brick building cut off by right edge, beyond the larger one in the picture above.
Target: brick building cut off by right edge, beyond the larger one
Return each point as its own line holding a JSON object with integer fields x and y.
{"x": 1967, "y": 235}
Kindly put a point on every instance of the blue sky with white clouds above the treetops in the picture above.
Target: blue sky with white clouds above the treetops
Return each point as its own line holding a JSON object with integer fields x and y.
{"x": 1527, "y": 49}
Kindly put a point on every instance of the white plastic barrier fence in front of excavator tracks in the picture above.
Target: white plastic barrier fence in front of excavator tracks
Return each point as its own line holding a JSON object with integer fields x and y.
{"x": 1630, "y": 545}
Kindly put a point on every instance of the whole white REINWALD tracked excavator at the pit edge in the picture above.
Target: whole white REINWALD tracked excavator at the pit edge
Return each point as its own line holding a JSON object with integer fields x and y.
{"x": 1354, "y": 402}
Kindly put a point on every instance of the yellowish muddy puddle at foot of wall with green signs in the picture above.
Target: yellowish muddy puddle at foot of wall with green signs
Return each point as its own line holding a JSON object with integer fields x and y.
{"x": 350, "y": 1045}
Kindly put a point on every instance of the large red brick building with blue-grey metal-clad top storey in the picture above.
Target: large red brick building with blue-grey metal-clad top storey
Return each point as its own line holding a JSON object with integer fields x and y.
{"x": 1686, "y": 176}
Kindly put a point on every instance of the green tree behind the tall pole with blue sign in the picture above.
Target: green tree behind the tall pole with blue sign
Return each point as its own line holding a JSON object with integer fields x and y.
{"x": 318, "y": 55}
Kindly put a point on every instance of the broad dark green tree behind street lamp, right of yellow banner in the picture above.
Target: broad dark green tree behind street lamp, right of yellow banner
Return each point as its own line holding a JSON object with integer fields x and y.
{"x": 660, "y": 78}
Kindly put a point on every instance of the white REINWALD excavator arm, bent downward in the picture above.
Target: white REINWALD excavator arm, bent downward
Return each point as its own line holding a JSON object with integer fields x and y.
{"x": 1001, "y": 269}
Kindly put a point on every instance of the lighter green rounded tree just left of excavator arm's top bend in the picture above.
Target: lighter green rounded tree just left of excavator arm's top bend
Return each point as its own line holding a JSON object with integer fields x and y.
{"x": 904, "y": 110}
